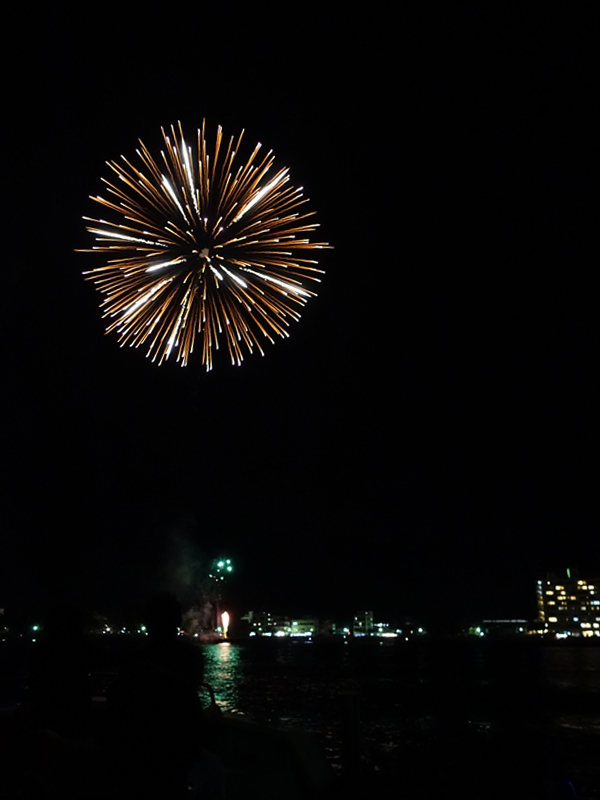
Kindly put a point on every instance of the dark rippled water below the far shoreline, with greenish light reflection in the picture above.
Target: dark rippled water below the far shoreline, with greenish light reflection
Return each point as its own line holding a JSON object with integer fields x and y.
{"x": 465, "y": 718}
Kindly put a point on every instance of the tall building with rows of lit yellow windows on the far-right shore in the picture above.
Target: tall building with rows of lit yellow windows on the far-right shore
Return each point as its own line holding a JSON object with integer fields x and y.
{"x": 569, "y": 606}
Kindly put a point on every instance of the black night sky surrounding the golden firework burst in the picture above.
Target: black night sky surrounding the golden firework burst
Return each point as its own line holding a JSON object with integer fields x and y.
{"x": 424, "y": 442}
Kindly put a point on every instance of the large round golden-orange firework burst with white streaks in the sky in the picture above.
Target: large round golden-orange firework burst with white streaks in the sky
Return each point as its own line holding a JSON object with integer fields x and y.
{"x": 205, "y": 246}
